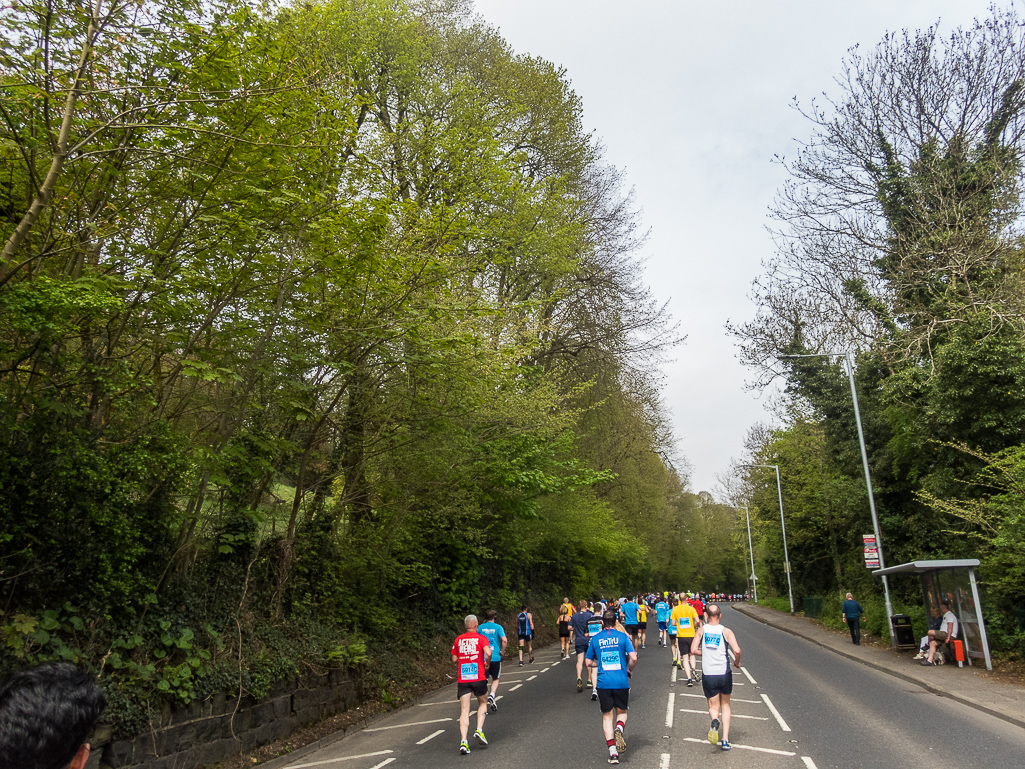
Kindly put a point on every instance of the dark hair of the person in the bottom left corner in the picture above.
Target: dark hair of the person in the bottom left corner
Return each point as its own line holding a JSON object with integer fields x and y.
{"x": 47, "y": 714}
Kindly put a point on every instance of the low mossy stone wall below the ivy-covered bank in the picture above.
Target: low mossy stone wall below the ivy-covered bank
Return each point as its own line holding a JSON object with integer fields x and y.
{"x": 213, "y": 731}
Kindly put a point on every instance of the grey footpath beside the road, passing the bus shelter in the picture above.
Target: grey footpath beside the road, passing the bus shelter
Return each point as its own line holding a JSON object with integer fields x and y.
{"x": 966, "y": 685}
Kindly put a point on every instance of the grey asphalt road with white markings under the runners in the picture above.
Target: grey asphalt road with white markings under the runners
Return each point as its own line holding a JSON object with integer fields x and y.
{"x": 795, "y": 707}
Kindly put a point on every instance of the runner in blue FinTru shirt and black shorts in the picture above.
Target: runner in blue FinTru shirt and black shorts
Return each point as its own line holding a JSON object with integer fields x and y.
{"x": 612, "y": 655}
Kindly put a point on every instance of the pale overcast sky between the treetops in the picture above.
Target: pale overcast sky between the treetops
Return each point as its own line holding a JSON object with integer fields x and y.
{"x": 692, "y": 102}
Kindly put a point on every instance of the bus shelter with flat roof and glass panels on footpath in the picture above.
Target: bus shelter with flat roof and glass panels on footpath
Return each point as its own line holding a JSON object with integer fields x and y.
{"x": 954, "y": 583}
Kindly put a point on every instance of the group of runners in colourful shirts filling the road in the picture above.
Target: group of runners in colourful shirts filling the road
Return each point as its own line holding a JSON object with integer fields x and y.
{"x": 605, "y": 637}
